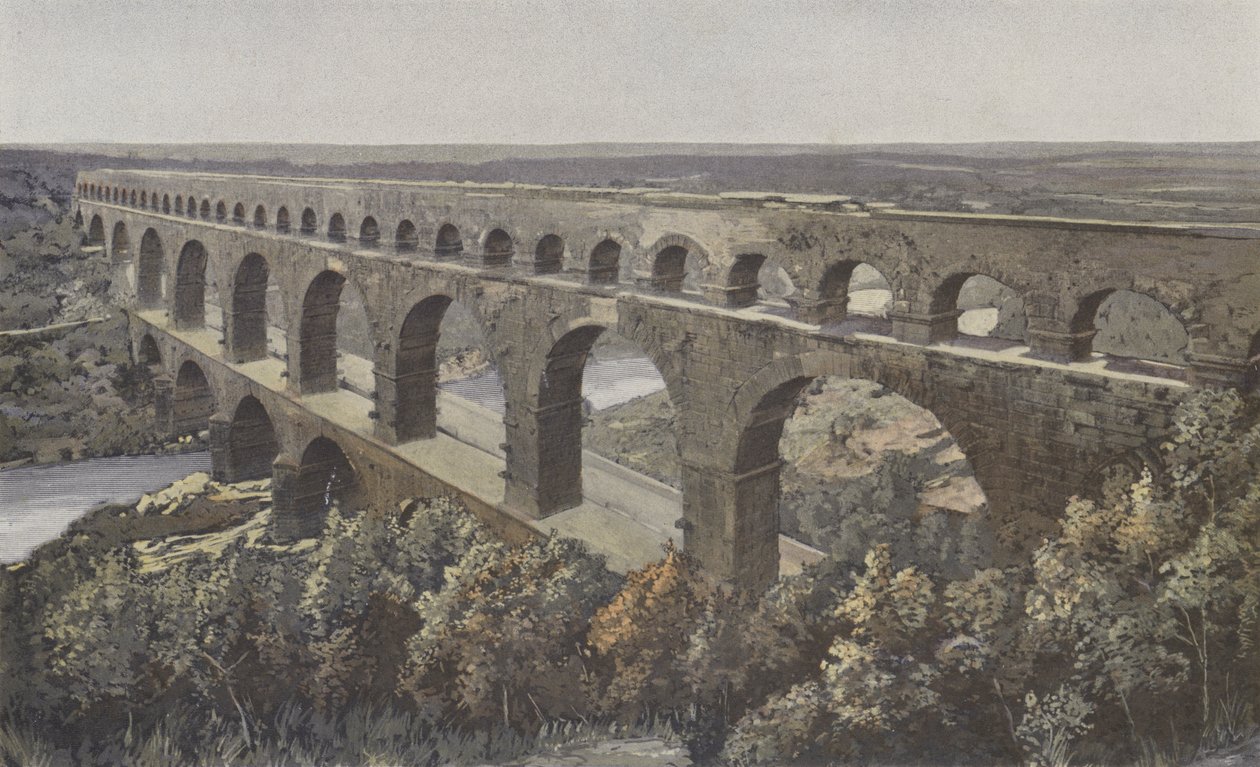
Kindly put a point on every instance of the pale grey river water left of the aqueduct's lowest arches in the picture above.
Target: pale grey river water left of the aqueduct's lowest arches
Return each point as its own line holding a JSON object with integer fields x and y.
{"x": 37, "y": 503}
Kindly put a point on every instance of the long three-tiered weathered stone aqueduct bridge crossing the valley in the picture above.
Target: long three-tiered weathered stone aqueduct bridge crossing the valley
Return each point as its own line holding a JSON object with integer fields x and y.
{"x": 547, "y": 270}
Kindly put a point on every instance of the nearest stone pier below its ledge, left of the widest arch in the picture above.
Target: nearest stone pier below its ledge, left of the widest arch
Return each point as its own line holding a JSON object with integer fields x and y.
{"x": 731, "y": 522}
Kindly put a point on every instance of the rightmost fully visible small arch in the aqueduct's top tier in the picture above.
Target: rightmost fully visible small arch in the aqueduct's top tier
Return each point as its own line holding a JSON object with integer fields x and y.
{"x": 1126, "y": 342}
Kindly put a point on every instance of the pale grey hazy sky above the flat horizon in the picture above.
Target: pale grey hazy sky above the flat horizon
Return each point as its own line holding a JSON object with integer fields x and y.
{"x": 566, "y": 71}
